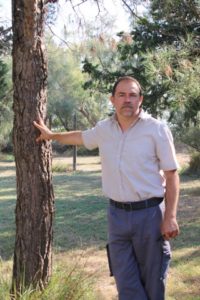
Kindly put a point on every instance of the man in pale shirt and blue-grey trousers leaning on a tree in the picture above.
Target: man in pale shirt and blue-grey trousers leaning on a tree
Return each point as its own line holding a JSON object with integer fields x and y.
{"x": 139, "y": 169}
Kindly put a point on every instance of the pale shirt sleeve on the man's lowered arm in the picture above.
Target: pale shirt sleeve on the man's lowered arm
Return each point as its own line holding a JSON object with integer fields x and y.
{"x": 165, "y": 149}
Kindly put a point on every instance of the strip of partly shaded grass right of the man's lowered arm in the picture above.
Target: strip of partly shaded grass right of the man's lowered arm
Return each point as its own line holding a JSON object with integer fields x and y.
{"x": 186, "y": 246}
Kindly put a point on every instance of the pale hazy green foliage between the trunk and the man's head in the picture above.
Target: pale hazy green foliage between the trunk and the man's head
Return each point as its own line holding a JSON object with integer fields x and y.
{"x": 65, "y": 93}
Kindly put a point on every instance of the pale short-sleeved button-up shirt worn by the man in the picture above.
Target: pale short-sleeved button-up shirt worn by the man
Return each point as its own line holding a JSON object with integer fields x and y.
{"x": 132, "y": 160}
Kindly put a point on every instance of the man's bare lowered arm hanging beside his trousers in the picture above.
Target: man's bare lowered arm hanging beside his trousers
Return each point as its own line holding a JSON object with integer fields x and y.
{"x": 169, "y": 227}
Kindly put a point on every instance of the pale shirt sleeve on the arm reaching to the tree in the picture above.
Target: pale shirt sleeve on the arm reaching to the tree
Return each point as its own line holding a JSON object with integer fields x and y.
{"x": 90, "y": 138}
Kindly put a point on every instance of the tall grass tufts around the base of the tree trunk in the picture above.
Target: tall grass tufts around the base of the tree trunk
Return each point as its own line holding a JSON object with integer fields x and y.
{"x": 69, "y": 281}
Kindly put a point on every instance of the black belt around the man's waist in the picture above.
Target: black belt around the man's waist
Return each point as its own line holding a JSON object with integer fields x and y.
{"x": 137, "y": 205}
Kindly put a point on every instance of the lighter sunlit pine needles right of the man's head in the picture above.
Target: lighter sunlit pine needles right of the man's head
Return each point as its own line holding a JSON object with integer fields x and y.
{"x": 175, "y": 72}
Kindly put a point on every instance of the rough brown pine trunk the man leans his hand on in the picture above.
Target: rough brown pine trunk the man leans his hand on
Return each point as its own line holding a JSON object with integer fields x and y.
{"x": 35, "y": 200}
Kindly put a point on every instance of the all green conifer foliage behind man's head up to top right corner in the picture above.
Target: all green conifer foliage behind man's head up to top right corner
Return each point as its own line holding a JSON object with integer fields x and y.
{"x": 162, "y": 52}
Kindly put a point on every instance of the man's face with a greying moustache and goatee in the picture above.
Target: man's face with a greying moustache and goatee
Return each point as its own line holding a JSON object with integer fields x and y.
{"x": 127, "y": 99}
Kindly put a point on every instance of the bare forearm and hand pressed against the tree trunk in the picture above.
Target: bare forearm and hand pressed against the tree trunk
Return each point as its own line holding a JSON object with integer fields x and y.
{"x": 69, "y": 138}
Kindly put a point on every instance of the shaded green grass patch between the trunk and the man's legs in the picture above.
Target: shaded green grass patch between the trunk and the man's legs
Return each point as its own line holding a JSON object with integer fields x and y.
{"x": 80, "y": 222}
